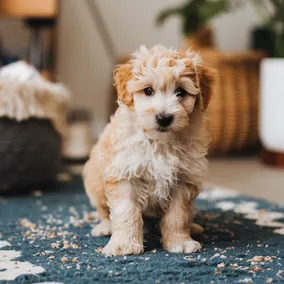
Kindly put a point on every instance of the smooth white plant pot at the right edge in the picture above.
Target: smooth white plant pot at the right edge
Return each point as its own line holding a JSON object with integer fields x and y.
{"x": 272, "y": 105}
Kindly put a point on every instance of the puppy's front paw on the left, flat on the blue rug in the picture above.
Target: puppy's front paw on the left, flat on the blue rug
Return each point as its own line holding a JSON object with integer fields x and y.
{"x": 120, "y": 247}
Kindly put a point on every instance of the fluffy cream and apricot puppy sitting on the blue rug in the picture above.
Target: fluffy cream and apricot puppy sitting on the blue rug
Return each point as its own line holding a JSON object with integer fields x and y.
{"x": 151, "y": 158}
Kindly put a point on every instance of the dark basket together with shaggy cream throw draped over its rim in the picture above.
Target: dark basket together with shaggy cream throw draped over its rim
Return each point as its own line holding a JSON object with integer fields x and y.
{"x": 32, "y": 124}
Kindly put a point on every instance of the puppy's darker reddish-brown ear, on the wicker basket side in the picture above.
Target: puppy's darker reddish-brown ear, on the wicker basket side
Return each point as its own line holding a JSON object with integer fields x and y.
{"x": 207, "y": 80}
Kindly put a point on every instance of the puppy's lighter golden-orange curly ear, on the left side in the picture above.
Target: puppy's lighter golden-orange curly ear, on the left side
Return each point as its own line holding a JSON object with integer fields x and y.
{"x": 122, "y": 74}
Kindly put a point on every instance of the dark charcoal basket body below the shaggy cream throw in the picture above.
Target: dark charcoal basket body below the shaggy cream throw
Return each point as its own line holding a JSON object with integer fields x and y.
{"x": 30, "y": 154}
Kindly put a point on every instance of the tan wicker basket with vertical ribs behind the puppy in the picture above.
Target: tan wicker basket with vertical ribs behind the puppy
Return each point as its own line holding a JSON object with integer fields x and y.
{"x": 233, "y": 111}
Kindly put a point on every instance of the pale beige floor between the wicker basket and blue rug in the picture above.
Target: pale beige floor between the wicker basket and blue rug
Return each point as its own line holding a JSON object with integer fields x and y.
{"x": 248, "y": 176}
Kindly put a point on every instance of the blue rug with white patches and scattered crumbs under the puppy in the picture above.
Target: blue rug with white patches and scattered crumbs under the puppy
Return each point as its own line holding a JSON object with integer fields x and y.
{"x": 45, "y": 237}
